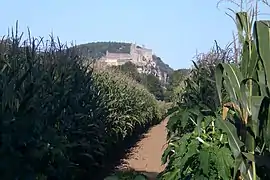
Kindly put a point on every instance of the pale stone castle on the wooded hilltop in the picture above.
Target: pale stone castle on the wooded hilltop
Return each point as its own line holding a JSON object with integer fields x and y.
{"x": 140, "y": 56}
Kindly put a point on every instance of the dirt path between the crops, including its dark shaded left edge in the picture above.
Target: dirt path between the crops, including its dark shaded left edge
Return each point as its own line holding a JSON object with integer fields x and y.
{"x": 140, "y": 153}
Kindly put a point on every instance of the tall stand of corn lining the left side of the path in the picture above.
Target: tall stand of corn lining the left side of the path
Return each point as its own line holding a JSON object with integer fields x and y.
{"x": 59, "y": 119}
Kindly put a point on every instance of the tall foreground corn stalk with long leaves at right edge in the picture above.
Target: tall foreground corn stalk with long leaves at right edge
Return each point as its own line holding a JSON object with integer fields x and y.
{"x": 245, "y": 111}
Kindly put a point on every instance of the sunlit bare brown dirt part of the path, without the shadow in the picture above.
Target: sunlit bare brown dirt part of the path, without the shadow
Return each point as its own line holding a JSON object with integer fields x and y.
{"x": 146, "y": 155}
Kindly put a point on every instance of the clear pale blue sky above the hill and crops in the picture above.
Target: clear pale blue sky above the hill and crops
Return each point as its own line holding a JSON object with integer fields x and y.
{"x": 175, "y": 30}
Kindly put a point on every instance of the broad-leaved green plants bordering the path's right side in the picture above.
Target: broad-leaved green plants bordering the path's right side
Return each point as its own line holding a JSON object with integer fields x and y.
{"x": 196, "y": 148}
